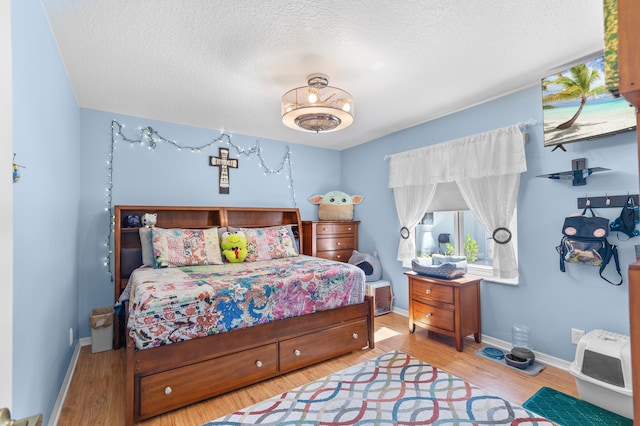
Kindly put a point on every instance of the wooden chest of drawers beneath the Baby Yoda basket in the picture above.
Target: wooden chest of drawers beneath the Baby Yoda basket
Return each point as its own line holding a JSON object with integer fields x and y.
{"x": 330, "y": 239}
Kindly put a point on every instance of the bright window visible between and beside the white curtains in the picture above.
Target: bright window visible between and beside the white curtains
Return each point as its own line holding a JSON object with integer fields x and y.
{"x": 459, "y": 233}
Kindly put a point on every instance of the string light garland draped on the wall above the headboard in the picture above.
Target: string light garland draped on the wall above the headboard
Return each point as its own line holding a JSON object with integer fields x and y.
{"x": 150, "y": 137}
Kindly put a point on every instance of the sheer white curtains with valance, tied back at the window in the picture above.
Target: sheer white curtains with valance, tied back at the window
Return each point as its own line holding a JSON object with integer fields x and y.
{"x": 486, "y": 167}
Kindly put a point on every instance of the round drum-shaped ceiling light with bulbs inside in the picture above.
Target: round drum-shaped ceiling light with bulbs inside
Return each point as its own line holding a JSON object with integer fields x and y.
{"x": 317, "y": 107}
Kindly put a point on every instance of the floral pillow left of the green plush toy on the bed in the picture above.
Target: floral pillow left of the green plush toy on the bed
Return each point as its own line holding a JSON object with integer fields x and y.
{"x": 185, "y": 247}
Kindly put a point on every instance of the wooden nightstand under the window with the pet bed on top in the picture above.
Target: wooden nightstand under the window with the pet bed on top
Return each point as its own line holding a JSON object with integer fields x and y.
{"x": 450, "y": 307}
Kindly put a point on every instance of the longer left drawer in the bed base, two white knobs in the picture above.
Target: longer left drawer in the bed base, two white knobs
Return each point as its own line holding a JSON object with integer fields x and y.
{"x": 172, "y": 389}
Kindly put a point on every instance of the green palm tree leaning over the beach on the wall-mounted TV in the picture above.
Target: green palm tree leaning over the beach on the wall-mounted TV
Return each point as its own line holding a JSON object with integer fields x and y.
{"x": 575, "y": 84}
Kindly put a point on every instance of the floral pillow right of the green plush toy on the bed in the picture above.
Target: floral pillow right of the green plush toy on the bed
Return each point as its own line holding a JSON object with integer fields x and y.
{"x": 269, "y": 243}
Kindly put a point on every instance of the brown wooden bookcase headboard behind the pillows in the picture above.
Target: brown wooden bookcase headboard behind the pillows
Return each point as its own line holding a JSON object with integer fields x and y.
{"x": 127, "y": 248}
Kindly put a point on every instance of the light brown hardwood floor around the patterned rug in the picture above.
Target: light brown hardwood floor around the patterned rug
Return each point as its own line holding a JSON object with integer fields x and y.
{"x": 96, "y": 393}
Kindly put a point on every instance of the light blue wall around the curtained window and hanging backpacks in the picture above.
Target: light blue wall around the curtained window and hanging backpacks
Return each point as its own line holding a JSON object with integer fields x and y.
{"x": 548, "y": 301}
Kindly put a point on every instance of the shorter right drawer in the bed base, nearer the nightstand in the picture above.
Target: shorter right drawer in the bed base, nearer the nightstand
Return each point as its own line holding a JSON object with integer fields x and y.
{"x": 305, "y": 350}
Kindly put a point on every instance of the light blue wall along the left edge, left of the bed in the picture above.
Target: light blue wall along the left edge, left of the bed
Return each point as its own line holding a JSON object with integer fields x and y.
{"x": 46, "y": 128}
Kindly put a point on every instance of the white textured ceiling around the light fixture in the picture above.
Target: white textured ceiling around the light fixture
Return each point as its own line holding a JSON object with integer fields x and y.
{"x": 225, "y": 64}
